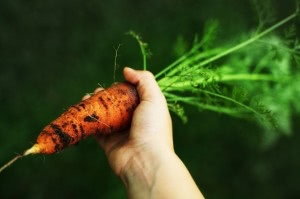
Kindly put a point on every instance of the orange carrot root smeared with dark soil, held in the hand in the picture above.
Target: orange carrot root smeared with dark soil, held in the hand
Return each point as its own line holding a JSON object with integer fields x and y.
{"x": 106, "y": 112}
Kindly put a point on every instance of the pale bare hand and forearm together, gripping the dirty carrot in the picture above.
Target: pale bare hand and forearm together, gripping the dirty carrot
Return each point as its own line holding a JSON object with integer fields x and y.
{"x": 144, "y": 157}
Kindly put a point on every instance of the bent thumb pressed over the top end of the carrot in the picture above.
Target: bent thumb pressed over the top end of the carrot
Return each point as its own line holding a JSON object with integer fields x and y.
{"x": 147, "y": 86}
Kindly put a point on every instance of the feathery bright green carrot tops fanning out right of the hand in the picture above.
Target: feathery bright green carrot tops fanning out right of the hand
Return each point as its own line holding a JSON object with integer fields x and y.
{"x": 257, "y": 80}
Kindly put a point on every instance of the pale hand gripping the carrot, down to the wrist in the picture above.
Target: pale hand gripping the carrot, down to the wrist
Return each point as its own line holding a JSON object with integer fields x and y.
{"x": 151, "y": 128}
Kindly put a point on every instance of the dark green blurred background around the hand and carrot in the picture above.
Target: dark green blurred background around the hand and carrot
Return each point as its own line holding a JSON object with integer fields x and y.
{"x": 52, "y": 52}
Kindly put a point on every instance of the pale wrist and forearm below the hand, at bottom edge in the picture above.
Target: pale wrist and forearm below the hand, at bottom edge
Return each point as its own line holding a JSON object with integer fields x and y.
{"x": 166, "y": 177}
